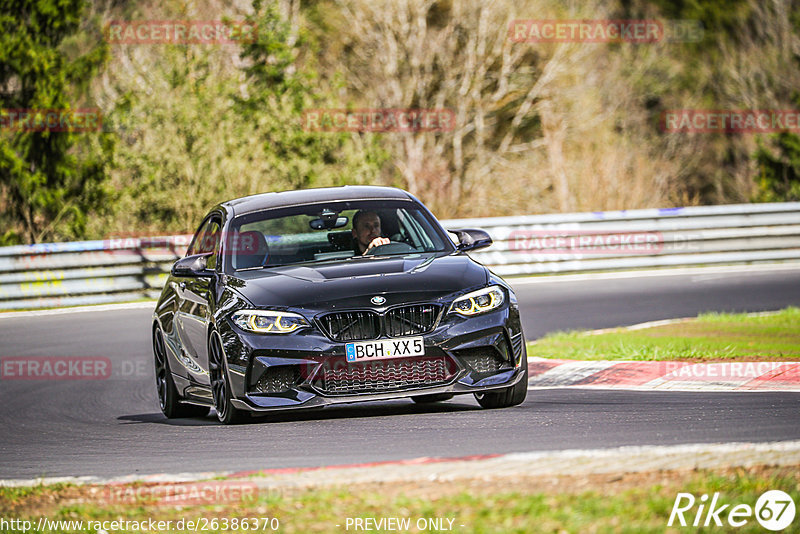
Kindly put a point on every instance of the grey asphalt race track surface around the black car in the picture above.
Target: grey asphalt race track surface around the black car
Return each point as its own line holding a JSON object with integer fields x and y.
{"x": 113, "y": 427}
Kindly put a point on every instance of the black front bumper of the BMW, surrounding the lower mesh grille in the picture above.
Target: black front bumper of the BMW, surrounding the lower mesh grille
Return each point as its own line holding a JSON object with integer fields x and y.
{"x": 462, "y": 355}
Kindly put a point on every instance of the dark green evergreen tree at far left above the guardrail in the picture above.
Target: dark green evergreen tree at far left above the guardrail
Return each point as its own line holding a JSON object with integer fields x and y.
{"x": 50, "y": 181}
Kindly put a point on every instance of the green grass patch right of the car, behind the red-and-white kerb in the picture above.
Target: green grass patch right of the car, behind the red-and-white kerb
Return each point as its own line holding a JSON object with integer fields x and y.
{"x": 709, "y": 337}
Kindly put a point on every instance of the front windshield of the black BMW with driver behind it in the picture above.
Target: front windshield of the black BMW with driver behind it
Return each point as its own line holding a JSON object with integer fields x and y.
{"x": 324, "y": 232}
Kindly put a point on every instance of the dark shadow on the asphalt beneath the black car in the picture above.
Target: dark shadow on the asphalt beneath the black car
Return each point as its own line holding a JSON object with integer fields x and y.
{"x": 361, "y": 410}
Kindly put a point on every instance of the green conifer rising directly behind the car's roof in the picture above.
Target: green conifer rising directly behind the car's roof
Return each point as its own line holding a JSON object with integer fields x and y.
{"x": 280, "y": 89}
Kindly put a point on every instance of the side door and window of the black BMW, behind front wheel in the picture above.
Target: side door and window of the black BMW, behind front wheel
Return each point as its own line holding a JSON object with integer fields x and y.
{"x": 193, "y": 301}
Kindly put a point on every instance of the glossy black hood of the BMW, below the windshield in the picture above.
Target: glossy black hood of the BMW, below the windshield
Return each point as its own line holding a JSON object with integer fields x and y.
{"x": 351, "y": 284}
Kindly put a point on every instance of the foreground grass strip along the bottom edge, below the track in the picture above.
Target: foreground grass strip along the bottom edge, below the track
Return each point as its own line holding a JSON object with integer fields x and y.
{"x": 634, "y": 502}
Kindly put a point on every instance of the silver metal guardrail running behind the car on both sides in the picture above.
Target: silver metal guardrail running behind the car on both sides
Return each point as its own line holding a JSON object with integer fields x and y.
{"x": 124, "y": 269}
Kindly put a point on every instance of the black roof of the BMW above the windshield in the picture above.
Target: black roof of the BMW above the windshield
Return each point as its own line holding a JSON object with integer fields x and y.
{"x": 240, "y": 206}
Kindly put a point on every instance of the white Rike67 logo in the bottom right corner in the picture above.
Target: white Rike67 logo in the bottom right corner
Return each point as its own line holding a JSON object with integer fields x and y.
{"x": 774, "y": 510}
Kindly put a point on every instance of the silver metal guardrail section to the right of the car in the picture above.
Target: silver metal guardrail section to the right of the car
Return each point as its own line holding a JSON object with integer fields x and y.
{"x": 631, "y": 239}
